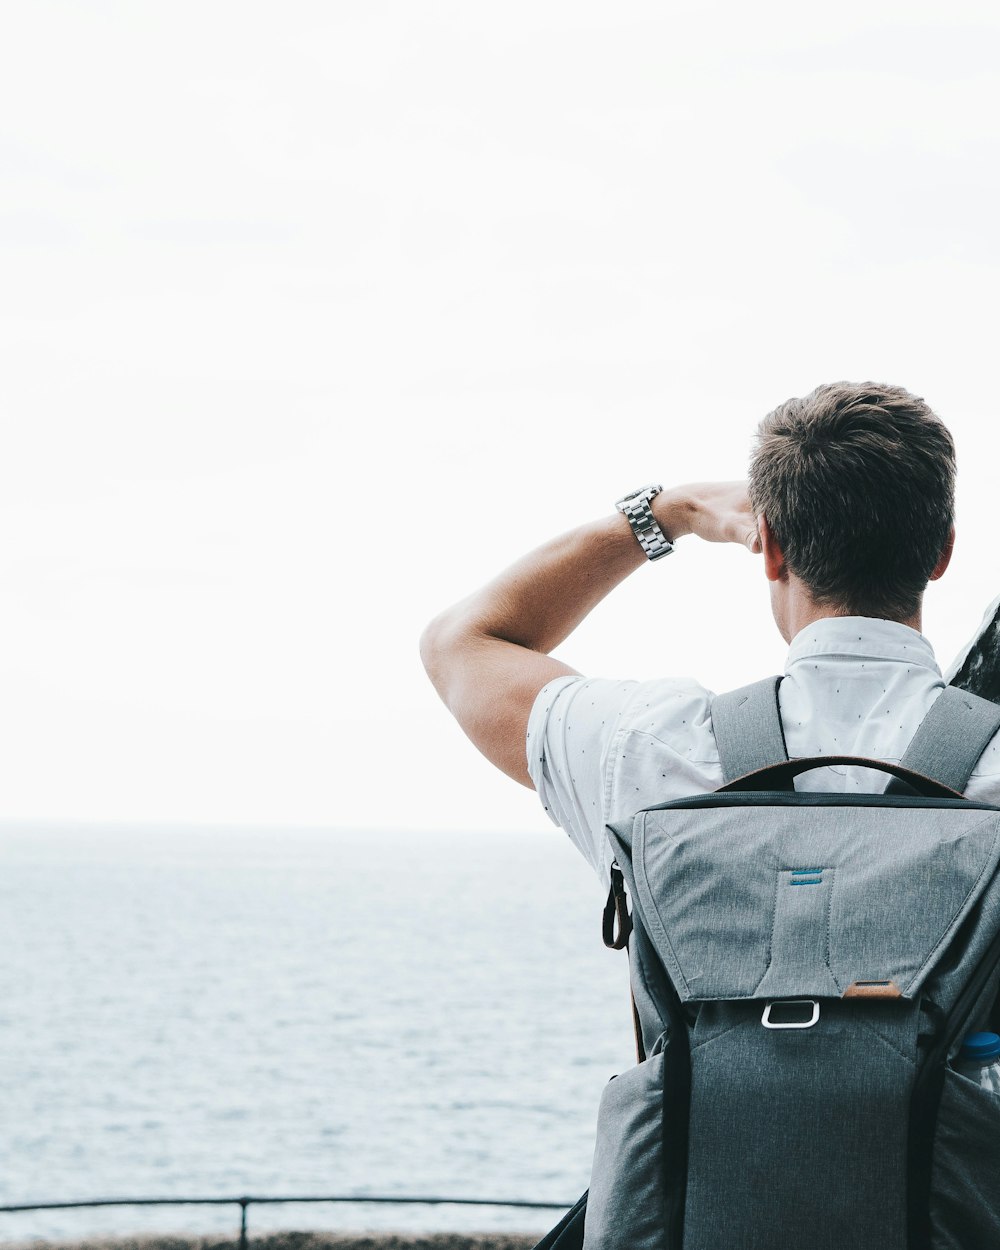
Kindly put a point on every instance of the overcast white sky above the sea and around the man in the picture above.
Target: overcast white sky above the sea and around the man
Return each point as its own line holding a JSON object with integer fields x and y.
{"x": 316, "y": 314}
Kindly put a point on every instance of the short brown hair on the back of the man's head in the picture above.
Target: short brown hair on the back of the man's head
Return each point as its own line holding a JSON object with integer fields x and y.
{"x": 858, "y": 486}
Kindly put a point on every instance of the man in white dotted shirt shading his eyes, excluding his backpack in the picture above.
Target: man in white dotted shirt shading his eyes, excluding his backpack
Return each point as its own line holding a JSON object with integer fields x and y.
{"x": 851, "y": 506}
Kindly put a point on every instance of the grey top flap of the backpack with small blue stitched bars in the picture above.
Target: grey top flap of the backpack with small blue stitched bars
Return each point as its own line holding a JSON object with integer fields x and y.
{"x": 779, "y": 902}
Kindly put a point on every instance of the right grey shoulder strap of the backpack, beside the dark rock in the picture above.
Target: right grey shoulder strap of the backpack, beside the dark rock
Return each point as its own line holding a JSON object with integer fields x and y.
{"x": 951, "y": 739}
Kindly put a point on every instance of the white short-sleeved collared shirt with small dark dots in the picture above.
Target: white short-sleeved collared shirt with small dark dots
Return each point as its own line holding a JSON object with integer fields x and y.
{"x": 599, "y": 751}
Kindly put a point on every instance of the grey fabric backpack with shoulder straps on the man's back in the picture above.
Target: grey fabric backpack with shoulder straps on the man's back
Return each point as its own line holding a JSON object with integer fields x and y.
{"x": 804, "y": 968}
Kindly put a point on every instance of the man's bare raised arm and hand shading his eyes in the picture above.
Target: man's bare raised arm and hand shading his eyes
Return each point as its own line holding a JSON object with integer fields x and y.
{"x": 488, "y": 656}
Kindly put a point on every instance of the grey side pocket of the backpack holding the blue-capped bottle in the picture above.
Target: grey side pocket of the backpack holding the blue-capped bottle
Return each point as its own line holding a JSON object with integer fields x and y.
{"x": 966, "y": 1184}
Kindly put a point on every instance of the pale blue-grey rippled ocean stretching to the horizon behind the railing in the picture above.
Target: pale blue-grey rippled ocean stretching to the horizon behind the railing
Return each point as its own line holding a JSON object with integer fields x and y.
{"x": 197, "y": 1013}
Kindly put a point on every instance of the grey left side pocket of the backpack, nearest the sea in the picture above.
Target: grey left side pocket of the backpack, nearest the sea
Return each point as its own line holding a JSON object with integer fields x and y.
{"x": 626, "y": 1208}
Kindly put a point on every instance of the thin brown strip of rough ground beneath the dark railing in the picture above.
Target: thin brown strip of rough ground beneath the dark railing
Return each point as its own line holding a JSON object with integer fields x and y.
{"x": 297, "y": 1242}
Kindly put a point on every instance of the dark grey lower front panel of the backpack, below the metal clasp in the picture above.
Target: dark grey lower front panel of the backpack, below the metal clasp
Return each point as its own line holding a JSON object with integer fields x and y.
{"x": 799, "y": 1138}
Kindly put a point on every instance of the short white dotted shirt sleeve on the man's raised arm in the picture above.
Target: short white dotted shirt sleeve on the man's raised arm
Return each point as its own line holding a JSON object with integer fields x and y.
{"x": 571, "y": 734}
